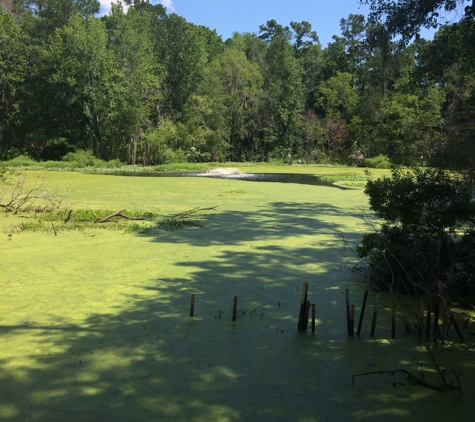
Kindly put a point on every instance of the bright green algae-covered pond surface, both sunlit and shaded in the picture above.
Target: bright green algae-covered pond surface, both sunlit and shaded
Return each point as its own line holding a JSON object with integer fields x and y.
{"x": 95, "y": 324}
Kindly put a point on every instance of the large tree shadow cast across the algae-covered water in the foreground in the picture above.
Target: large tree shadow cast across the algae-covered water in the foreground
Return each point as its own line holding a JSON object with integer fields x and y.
{"x": 149, "y": 361}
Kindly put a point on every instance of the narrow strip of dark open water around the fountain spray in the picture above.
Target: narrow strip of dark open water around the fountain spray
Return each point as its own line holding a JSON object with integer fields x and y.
{"x": 301, "y": 179}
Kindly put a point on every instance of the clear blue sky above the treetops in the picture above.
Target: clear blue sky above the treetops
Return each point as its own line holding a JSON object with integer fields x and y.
{"x": 228, "y": 16}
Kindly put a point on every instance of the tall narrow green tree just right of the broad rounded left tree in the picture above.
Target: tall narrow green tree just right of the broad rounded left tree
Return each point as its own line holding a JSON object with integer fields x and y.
{"x": 133, "y": 110}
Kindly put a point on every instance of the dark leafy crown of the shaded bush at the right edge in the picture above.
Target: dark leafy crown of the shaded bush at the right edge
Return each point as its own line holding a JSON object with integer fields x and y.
{"x": 427, "y": 233}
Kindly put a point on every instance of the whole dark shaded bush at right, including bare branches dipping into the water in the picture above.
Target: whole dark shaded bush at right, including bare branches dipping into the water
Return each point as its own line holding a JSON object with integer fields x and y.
{"x": 420, "y": 251}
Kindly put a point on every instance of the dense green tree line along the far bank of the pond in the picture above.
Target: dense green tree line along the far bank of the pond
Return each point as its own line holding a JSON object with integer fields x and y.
{"x": 145, "y": 86}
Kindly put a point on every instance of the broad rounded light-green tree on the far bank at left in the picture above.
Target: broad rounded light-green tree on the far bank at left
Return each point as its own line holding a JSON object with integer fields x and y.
{"x": 80, "y": 77}
